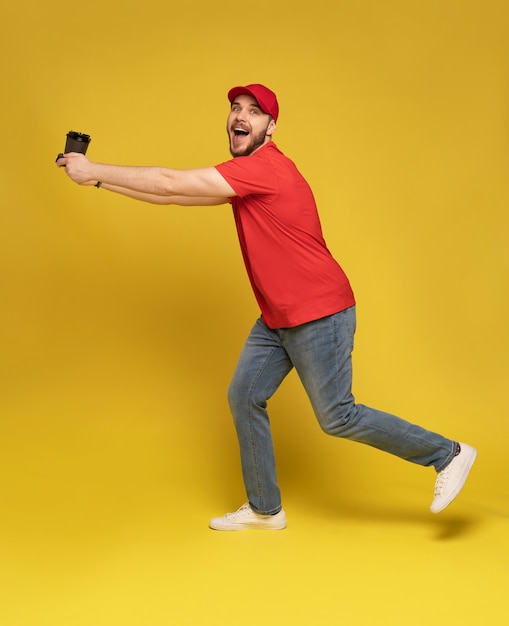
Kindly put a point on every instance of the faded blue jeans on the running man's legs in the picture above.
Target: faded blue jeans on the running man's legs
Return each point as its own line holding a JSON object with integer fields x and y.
{"x": 320, "y": 351}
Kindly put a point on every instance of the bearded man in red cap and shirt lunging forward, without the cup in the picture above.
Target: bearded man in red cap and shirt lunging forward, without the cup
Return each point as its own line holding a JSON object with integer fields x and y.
{"x": 307, "y": 306}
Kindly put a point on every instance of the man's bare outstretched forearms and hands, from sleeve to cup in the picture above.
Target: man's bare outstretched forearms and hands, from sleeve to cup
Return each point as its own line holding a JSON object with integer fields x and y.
{"x": 171, "y": 185}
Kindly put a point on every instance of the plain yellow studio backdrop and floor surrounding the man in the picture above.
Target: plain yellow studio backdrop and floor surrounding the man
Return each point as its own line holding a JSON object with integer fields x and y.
{"x": 121, "y": 322}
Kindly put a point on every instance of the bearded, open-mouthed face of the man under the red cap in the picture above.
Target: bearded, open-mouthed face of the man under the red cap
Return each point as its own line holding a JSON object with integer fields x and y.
{"x": 248, "y": 126}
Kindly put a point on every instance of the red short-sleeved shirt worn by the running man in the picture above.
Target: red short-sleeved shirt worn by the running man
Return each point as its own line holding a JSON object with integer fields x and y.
{"x": 294, "y": 277}
